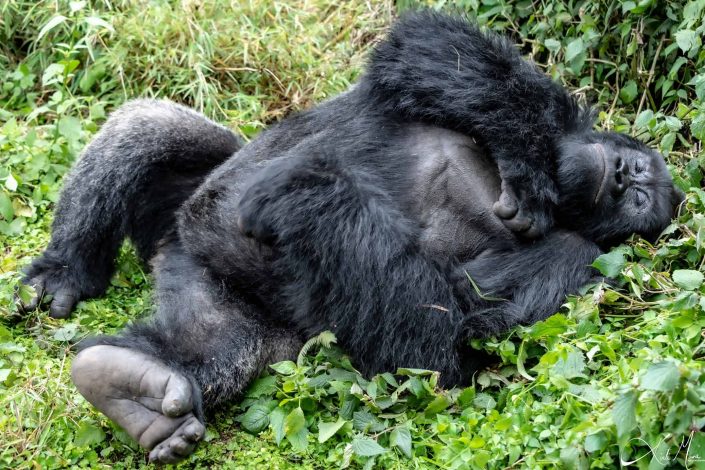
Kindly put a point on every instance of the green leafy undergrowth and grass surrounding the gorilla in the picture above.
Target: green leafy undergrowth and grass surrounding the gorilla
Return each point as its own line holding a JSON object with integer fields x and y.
{"x": 614, "y": 379}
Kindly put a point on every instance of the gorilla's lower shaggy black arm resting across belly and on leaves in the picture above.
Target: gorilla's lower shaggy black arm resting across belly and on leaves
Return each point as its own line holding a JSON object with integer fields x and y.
{"x": 350, "y": 262}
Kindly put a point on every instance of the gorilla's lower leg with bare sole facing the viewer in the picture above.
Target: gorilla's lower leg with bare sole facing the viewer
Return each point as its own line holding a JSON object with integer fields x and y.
{"x": 201, "y": 348}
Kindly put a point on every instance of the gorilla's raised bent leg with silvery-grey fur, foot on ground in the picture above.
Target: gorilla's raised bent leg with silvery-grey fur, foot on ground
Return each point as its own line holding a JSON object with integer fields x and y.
{"x": 147, "y": 159}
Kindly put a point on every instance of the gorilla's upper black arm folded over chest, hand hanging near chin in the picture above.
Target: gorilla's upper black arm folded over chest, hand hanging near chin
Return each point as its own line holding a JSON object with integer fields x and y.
{"x": 443, "y": 70}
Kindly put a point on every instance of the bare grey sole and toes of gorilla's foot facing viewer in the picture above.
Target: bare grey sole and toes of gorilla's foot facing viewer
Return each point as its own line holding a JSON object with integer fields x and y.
{"x": 149, "y": 400}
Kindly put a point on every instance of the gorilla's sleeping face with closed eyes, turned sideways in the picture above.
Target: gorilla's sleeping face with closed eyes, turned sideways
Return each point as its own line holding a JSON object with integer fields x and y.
{"x": 611, "y": 185}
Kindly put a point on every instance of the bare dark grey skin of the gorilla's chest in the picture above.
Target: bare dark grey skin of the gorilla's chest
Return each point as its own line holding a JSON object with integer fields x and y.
{"x": 454, "y": 187}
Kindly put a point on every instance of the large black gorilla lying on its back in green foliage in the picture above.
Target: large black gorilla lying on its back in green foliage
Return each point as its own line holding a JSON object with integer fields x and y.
{"x": 451, "y": 158}
